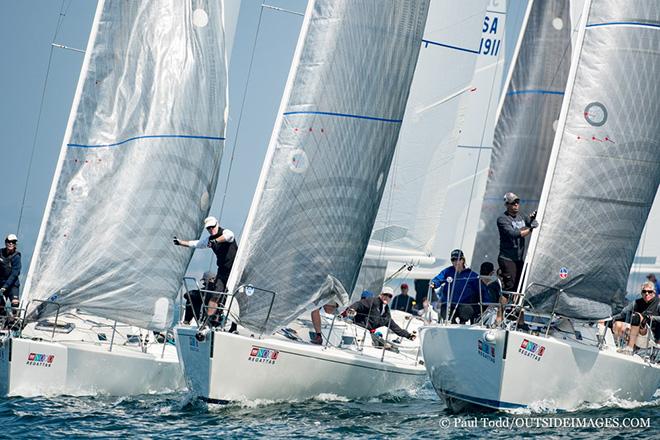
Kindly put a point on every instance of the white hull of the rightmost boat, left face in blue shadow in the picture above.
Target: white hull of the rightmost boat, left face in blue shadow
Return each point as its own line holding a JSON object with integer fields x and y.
{"x": 465, "y": 369}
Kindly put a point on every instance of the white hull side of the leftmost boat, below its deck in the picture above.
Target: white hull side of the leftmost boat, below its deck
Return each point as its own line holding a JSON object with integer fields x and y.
{"x": 38, "y": 368}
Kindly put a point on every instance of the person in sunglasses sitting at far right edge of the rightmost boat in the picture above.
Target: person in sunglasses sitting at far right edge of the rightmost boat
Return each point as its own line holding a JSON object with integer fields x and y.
{"x": 642, "y": 310}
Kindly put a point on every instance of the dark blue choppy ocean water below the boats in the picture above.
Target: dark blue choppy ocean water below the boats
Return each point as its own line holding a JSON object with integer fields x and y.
{"x": 415, "y": 413}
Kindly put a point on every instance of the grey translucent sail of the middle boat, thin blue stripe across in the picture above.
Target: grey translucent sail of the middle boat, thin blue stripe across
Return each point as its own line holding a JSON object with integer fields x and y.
{"x": 328, "y": 159}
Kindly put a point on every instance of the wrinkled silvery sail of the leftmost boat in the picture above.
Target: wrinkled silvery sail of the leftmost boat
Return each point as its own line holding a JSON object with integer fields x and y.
{"x": 139, "y": 162}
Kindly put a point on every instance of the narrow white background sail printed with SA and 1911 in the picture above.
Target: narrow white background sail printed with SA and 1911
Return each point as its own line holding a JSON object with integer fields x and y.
{"x": 460, "y": 216}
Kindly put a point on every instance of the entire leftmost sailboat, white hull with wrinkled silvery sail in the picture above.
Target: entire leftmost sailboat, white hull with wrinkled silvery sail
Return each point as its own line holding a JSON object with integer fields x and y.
{"x": 139, "y": 160}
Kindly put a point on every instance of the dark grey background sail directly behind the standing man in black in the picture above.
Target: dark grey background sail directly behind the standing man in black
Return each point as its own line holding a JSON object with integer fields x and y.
{"x": 526, "y": 126}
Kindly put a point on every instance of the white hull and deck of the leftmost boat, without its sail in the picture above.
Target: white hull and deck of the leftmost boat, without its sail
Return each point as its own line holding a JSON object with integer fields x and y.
{"x": 86, "y": 359}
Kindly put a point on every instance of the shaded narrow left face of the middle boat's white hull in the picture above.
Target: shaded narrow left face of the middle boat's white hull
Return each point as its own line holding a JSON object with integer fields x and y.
{"x": 195, "y": 357}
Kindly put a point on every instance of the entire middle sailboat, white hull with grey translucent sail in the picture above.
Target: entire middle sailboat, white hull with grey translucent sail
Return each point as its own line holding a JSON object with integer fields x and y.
{"x": 313, "y": 212}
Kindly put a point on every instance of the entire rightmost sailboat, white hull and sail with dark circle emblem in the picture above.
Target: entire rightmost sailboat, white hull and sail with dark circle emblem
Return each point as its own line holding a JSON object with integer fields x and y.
{"x": 602, "y": 177}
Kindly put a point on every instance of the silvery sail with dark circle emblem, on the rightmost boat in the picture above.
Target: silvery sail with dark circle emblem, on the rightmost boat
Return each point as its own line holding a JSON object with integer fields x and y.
{"x": 605, "y": 168}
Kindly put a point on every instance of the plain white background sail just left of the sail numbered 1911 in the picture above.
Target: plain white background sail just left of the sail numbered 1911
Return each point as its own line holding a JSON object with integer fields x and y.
{"x": 409, "y": 214}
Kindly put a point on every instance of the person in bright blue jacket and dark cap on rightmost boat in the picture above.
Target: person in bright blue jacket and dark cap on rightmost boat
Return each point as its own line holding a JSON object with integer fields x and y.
{"x": 459, "y": 285}
